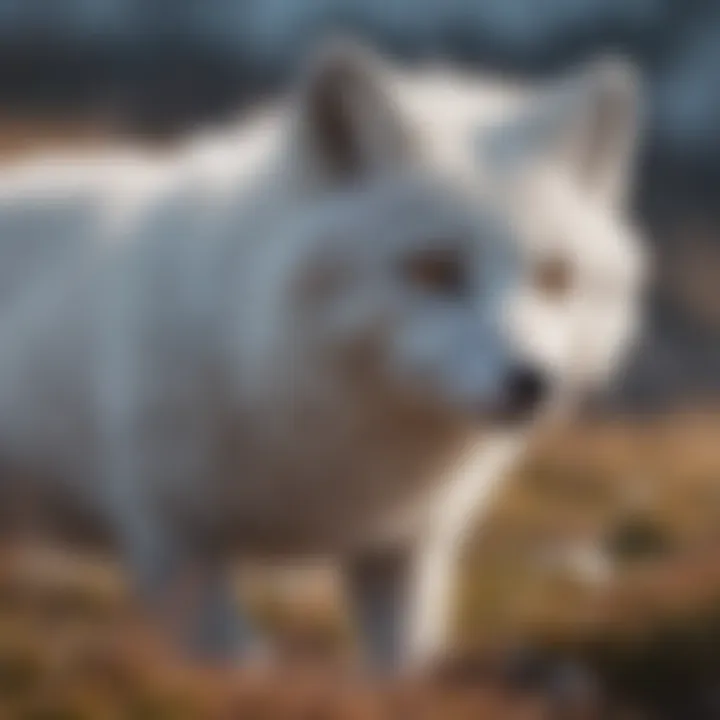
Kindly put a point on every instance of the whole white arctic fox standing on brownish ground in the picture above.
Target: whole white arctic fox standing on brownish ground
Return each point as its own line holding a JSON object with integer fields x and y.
{"x": 326, "y": 334}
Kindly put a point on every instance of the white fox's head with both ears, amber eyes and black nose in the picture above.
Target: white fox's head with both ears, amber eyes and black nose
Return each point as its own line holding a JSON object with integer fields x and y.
{"x": 482, "y": 272}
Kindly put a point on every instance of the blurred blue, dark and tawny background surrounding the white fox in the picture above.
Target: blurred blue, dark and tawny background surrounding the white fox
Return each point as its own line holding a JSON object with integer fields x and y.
{"x": 597, "y": 576}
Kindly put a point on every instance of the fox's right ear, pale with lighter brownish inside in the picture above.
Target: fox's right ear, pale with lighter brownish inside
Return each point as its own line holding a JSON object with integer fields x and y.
{"x": 588, "y": 122}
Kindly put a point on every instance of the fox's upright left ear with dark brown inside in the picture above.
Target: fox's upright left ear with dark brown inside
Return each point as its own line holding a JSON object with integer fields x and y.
{"x": 348, "y": 124}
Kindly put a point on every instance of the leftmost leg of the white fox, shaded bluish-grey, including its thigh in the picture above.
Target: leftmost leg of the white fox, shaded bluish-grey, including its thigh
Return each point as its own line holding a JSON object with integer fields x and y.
{"x": 187, "y": 591}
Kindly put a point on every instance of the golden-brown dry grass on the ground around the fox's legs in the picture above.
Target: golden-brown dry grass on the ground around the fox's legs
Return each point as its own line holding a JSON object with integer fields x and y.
{"x": 72, "y": 647}
